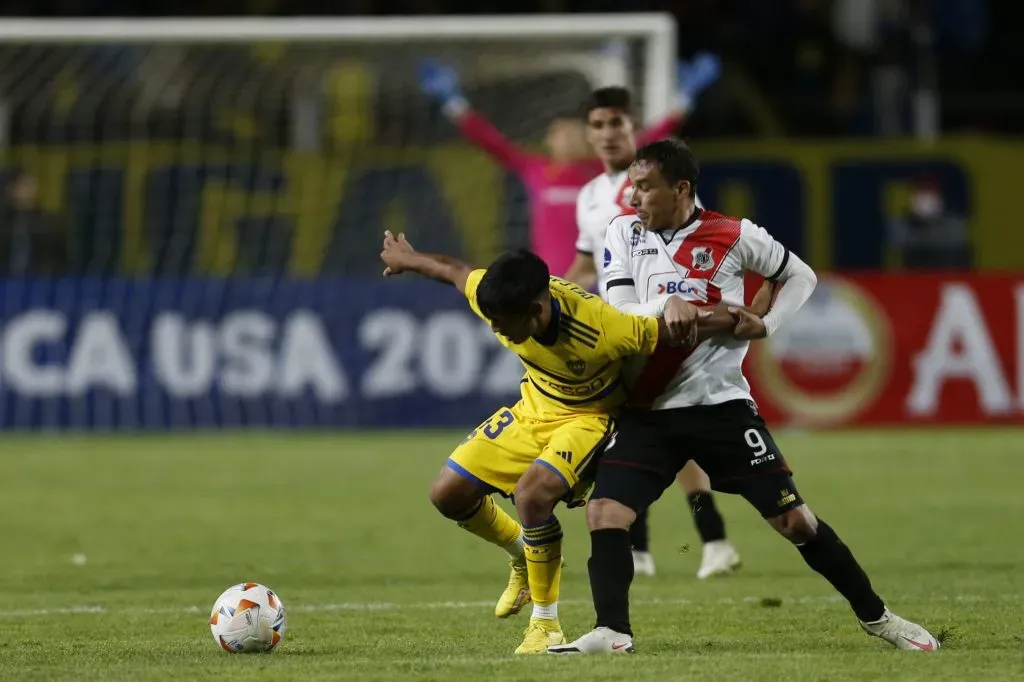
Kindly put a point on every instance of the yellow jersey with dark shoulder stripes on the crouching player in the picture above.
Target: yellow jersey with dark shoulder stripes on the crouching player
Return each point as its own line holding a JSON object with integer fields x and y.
{"x": 574, "y": 367}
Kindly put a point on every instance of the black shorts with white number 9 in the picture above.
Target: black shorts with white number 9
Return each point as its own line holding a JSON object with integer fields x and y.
{"x": 729, "y": 441}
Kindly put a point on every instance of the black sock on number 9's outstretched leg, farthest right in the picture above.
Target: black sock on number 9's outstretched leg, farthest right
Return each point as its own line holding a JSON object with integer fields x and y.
{"x": 828, "y": 556}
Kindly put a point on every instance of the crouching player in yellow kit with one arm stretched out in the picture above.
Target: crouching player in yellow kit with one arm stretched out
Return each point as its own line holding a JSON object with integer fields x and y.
{"x": 541, "y": 450}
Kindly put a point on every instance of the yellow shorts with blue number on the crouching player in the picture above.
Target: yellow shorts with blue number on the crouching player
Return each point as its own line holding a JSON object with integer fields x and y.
{"x": 498, "y": 453}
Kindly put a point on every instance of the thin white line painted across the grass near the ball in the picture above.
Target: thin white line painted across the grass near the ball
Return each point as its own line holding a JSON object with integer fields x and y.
{"x": 438, "y": 606}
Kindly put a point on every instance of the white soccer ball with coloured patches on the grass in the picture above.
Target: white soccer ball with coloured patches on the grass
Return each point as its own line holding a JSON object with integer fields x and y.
{"x": 248, "y": 619}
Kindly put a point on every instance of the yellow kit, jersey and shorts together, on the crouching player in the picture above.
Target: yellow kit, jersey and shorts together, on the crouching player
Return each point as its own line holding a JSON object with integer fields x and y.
{"x": 573, "y": 382}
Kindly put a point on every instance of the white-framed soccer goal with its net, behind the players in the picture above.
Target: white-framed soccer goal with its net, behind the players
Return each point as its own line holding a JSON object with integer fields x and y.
{"x": 194, "y": 209}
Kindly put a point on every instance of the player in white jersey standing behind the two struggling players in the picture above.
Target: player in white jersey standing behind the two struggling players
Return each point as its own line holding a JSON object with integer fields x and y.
{"x": 611, "y": 132}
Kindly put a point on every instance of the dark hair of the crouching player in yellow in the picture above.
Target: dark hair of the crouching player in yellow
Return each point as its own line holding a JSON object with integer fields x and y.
{"x": 511, "y": 284}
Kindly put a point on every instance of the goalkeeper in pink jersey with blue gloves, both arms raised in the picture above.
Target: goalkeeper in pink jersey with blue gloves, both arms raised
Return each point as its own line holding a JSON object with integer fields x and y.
{"x": 553, "y": 182}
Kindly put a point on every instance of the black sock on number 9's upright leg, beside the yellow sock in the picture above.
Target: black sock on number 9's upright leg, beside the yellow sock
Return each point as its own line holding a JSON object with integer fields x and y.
{"x": 611, "y": 569}
